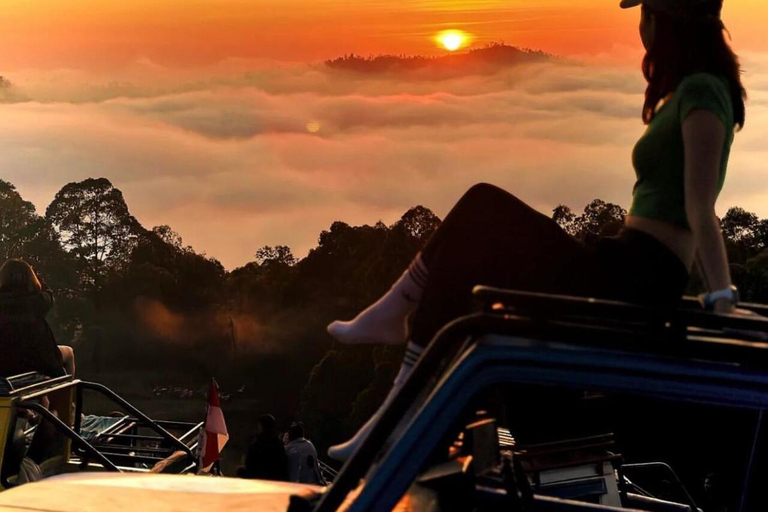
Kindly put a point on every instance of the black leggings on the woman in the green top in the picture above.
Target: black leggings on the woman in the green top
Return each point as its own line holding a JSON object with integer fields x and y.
{"x": 492, "y": 238}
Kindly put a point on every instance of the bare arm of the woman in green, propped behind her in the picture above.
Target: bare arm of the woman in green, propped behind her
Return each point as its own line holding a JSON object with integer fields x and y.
{"x": 703, "y": 138}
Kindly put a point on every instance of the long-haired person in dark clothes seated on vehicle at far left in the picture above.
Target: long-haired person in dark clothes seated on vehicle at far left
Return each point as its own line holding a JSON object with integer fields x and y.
{"x": 26, "y": 340}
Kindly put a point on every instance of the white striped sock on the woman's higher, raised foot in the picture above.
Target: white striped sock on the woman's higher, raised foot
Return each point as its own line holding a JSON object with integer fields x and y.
{"x": 385, "y": 321}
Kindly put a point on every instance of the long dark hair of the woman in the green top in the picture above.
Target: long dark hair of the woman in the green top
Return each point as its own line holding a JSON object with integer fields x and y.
{"x": 684, "y": 45}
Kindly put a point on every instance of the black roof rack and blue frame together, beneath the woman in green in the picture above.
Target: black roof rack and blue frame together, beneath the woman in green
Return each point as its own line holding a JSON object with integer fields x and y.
{"x": 655, "y": 351}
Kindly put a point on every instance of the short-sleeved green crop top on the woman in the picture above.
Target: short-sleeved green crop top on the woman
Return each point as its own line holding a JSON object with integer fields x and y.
{"x": 658, "y": 157}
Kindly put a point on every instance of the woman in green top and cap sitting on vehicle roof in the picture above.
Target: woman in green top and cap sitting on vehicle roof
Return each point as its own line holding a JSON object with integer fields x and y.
{"x": 694, "y": 103}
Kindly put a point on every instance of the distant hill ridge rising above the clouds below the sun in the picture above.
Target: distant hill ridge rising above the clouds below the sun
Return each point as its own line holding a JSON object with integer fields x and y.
{"x": 493, "y": 56}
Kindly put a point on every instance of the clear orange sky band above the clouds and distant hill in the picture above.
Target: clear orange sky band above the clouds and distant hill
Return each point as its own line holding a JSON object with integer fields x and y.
{"x": 97, "y": 34}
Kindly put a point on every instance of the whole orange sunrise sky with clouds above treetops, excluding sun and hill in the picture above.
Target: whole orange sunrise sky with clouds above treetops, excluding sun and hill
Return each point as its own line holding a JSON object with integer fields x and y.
{"x": 218, "y": 118}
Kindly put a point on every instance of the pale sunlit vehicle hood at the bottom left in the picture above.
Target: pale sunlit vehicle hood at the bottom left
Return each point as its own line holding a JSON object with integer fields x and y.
{"x": 101, "y": 492}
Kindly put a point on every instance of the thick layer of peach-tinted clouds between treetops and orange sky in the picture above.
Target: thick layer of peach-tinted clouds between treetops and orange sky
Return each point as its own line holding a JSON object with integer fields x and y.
{"x": 273, "y": 156}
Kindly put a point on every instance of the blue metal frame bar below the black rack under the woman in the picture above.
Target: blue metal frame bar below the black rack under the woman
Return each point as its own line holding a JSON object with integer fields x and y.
{"x": 496, "y": 360}
